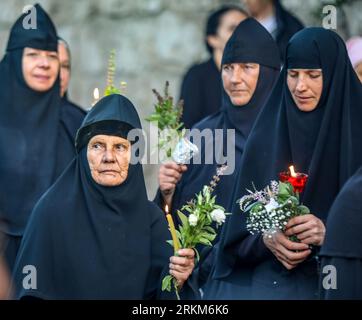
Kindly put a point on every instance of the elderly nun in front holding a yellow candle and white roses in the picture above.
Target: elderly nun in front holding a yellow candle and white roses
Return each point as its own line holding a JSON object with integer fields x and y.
{"x": 103, "y": 239}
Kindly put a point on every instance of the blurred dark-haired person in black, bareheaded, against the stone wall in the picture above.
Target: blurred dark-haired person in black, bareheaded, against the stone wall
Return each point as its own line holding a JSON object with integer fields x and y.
{"x": 201, "y": 86}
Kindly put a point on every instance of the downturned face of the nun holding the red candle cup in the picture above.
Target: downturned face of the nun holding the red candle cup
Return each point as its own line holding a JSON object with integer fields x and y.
{"x": 306, "y": 87}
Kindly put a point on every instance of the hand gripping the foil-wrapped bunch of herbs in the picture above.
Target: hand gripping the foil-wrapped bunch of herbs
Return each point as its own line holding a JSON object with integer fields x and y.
{"x": 169, "y": 175}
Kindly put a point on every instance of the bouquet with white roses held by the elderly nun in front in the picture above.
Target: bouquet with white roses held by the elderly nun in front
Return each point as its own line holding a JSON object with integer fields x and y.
{"x": 197, "y": 228}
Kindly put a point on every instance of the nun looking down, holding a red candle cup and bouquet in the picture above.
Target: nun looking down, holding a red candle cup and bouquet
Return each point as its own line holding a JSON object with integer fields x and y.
{"x": 323, "y": 142}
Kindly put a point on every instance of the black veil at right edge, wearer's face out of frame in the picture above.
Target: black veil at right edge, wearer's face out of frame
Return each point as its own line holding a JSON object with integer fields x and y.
{"x": 344, "y": 223}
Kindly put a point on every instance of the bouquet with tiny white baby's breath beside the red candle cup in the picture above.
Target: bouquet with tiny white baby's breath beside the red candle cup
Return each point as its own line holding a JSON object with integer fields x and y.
{"x": 270, "y": 209}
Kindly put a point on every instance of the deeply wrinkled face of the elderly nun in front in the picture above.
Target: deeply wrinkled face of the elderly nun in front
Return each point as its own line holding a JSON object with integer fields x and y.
{"x": 108, "y": 158}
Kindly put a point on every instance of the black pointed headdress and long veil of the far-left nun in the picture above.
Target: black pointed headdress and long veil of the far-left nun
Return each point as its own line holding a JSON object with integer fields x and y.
{"x": 29, "y": 122}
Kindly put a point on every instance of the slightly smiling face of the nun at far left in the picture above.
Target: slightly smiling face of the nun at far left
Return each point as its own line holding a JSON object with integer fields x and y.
{"x": 40, "y": 68}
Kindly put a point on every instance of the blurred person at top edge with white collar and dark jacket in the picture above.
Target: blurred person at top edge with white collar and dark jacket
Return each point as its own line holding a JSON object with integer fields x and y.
{"x": 280, "y": 23}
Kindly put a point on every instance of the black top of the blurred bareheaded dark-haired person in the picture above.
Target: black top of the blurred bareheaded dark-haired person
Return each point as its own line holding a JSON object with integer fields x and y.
{"x": 201, "y": 91}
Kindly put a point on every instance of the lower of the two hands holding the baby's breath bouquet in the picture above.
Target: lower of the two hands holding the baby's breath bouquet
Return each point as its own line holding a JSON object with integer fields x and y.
{"x": 289, "y": 253}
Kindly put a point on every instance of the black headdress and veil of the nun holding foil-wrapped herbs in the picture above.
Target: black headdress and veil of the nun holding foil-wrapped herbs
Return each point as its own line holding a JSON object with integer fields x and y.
{"x": 256, "y": 40}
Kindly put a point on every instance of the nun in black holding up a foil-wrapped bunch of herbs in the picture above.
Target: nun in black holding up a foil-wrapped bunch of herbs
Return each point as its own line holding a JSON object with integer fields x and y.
{"x": 246, "y": 46}
